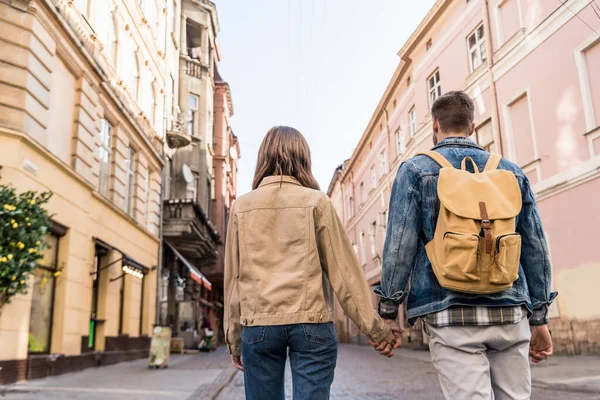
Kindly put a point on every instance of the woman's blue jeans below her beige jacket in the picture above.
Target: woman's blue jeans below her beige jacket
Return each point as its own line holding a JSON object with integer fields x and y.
{"x": 313, "y": 355}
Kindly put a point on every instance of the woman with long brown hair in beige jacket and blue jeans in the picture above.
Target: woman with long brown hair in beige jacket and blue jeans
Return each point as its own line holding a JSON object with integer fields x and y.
{"x": 286, "y": 251}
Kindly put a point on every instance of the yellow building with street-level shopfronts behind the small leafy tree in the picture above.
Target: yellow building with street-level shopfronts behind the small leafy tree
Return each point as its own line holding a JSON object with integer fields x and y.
{"x": 81, "y": 86}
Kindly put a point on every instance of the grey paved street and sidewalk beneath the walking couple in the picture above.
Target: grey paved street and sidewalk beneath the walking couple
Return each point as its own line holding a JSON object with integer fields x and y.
{"x": 360, "y": 374}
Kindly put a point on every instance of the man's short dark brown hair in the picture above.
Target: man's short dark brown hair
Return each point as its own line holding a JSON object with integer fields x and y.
{"x": 454, "y": 111}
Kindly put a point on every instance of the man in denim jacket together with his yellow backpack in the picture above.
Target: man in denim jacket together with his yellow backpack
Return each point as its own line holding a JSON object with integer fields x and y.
{"x": 465, "y": 229}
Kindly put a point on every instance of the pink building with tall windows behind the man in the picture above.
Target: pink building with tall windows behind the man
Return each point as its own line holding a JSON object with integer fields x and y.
{"x": 528, "y": 65}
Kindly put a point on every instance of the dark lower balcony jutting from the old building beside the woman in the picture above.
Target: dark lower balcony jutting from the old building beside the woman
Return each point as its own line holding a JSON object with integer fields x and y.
{"x": 187, "y": 227}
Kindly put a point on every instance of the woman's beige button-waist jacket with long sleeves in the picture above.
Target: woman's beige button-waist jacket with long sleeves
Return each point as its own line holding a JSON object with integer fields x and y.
{"x": 286, "y": 249}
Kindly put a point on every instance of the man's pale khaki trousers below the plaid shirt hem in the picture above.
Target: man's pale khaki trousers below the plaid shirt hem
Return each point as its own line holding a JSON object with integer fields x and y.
{"x": 482, "y": 362}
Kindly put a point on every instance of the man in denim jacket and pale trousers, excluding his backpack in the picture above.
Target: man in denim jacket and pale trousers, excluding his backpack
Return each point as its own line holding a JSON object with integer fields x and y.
{"x": 479, "y": 343}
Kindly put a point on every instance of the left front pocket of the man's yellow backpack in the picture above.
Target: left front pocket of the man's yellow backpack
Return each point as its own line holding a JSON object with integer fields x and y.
{"x": 461, "y": 254}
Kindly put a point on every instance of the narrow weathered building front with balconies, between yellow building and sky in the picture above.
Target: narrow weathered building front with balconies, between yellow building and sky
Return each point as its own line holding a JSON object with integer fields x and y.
{"x": 201, "y": 170}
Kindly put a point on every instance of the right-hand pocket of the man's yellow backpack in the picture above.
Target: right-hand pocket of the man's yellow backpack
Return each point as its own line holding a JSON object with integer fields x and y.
{"x": 508, "y": 254}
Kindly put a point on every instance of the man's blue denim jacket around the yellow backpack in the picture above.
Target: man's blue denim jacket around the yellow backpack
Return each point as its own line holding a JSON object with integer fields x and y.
{"x": 414, "y": 208}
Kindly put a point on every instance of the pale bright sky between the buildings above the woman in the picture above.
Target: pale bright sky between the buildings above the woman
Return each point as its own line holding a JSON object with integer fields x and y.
{"x": 320, "y": 66}
